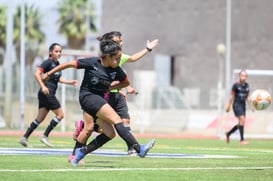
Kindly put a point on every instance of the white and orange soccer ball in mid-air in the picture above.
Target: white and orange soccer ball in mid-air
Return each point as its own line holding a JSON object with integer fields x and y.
{"x": 260, "y": 99}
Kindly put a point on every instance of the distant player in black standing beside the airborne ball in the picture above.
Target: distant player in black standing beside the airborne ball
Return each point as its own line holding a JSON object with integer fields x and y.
{"x": 239, "y": 96}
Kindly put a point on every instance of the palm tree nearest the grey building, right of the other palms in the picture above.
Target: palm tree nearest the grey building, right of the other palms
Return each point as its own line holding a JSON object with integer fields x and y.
{"x": 72, "y": 21}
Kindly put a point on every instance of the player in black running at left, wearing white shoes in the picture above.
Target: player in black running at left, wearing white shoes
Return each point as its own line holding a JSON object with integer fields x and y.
{"x": 46, "y": 96}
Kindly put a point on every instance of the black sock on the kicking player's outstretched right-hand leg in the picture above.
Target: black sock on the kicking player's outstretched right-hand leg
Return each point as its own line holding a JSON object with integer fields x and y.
{"x": 127, "y": 136}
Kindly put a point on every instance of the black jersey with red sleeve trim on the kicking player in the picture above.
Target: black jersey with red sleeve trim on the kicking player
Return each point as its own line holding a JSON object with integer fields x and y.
{"x": 97, "y": 78}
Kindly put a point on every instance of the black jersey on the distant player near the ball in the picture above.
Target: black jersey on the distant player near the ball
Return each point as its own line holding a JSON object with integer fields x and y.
{"x": 240, "y": 92}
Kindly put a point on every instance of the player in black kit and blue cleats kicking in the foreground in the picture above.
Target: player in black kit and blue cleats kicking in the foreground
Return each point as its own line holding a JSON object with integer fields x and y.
{"x": 101, "y": 75}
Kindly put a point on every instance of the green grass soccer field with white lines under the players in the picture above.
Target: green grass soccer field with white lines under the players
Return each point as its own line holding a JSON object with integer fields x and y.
{"x": 251, "y": 162}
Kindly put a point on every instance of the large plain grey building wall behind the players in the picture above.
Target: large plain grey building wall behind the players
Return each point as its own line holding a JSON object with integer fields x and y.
{"x": 189, "y": 32}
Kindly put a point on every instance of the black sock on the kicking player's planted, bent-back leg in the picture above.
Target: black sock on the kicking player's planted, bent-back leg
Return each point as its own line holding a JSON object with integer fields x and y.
{"x": 95, "y": 143}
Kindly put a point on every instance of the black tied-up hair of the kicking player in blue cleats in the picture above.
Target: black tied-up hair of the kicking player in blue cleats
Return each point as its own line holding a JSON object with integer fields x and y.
{"x": 109, "y": 47}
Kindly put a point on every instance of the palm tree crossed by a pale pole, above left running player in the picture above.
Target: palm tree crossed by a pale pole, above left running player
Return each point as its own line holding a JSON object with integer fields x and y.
{"x": 33, "y": 33}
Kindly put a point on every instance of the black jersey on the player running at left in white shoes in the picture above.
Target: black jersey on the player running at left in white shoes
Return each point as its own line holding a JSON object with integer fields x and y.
{"x": 52, "y": 83}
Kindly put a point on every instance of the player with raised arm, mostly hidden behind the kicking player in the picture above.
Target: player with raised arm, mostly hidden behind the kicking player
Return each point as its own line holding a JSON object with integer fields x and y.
{"x": 116, "y": 98}
